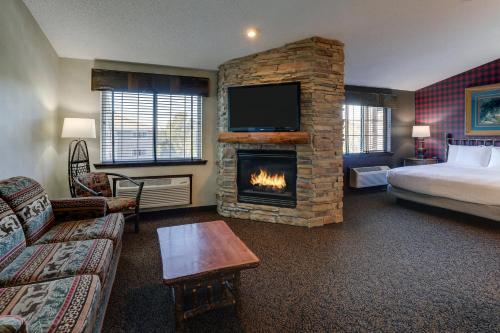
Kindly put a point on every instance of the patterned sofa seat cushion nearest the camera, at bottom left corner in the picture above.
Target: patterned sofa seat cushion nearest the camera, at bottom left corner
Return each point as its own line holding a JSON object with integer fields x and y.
{"x": 65, "y": 305}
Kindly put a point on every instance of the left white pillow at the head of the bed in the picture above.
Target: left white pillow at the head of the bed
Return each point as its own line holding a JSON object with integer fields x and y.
{"x": 472, "y": 156}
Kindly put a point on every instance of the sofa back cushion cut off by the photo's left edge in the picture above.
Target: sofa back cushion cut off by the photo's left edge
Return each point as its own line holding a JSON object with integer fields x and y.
{"x": 12, "y": 241}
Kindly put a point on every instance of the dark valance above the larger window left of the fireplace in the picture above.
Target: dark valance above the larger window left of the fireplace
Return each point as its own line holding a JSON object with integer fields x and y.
{"x": 103, "y": 79}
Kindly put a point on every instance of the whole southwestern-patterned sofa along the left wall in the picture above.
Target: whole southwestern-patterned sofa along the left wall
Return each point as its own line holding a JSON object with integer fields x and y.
{"x": 58, "y": 259}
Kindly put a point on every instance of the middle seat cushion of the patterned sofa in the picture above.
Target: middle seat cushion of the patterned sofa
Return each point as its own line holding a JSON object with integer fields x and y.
{"x": 45, "y": 262}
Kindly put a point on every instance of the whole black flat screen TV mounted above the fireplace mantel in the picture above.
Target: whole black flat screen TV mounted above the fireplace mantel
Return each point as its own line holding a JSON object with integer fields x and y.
{"x": 264, "y": 108}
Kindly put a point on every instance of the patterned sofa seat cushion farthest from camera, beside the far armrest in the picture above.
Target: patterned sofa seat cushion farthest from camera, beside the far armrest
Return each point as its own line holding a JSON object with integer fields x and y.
{"x": 107, "y": 227}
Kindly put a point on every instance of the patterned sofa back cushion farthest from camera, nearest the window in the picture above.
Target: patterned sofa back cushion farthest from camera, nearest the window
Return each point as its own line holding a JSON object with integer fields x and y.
{"x": 30, "y": 203}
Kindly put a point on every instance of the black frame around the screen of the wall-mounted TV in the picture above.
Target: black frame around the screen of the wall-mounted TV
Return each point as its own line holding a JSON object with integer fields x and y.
{"x": 264, "y": 129}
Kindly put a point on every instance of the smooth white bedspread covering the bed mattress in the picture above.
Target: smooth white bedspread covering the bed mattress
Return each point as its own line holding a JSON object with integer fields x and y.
{"x": 470, "y": 184}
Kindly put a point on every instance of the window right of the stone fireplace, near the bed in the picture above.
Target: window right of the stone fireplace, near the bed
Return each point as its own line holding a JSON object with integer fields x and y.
{"x": 367, "y": 129}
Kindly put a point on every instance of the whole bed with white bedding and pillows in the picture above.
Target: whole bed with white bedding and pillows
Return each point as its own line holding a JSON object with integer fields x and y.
{"x": 468, "y": 182}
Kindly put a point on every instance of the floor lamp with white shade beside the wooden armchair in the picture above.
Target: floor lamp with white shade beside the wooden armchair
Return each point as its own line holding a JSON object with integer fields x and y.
{"x": 78, "y": 154}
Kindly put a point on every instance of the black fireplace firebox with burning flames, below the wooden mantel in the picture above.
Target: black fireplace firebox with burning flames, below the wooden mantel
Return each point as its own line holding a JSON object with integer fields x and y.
{"x": 267, "y": 177}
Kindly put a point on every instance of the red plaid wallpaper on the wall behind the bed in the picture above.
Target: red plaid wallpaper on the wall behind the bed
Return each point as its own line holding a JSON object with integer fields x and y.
{"x": 442, "y": 105}
